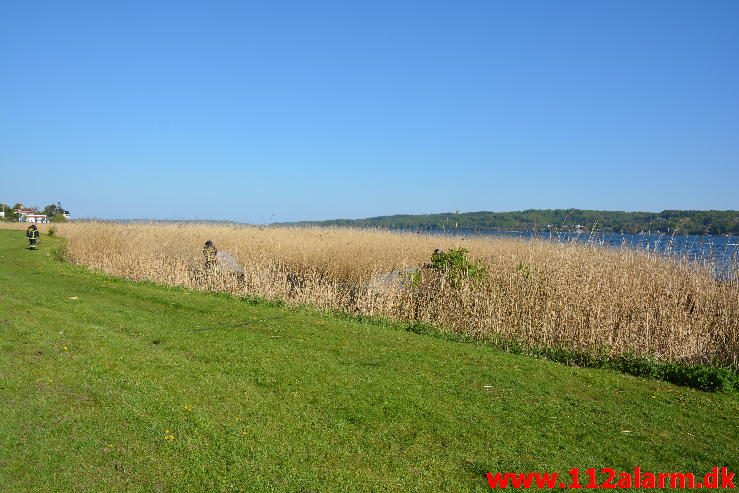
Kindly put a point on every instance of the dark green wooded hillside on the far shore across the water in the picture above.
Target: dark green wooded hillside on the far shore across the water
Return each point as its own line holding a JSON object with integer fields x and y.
{"x": 668, "y": 221}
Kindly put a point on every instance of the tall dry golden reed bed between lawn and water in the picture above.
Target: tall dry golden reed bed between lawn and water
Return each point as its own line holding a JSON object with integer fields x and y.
{"x": 538, "y": 293}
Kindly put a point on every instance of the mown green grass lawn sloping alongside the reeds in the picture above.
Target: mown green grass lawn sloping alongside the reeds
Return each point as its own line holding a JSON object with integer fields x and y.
{"x": 111, "y": 385}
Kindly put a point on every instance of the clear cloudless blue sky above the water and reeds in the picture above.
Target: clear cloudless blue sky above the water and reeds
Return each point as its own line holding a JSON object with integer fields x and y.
{"x": 274, "y": 111}
